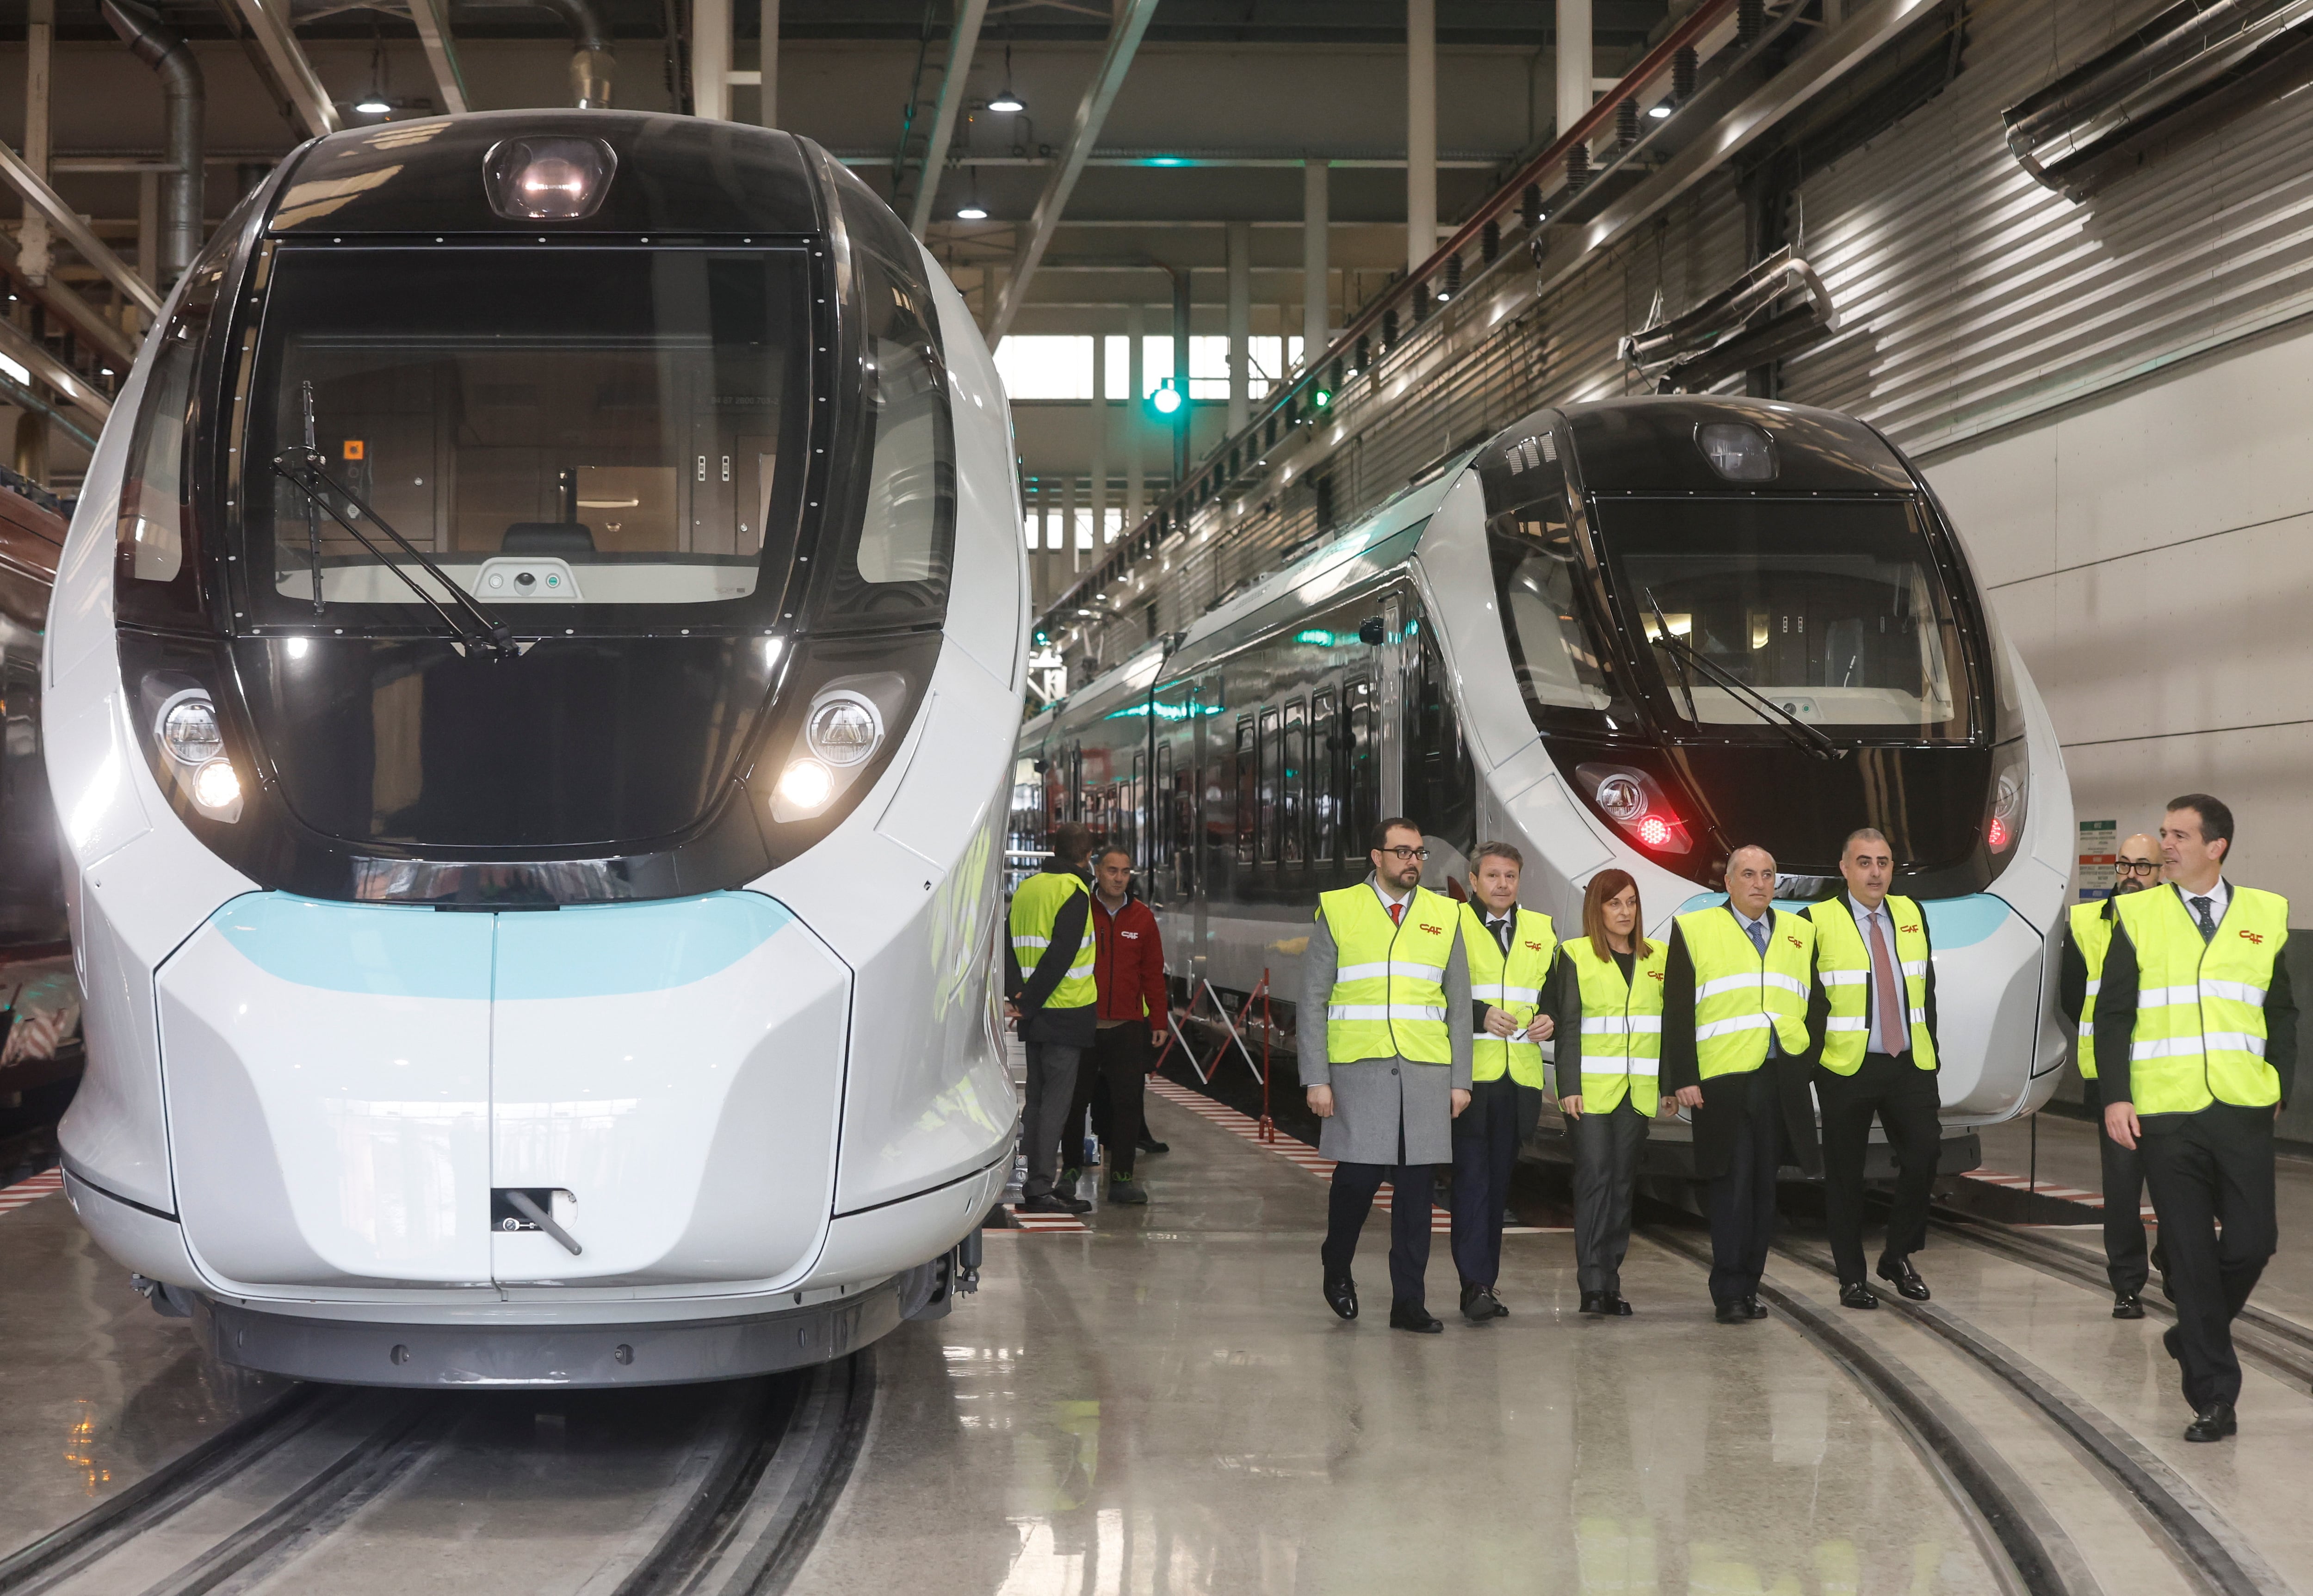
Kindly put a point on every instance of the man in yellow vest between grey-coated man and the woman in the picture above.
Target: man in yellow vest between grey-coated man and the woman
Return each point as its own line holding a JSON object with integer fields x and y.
{"x": 1509, "y": 966}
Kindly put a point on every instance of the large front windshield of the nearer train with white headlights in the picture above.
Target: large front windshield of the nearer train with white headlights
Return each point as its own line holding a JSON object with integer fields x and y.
{"x": 577, "y": 429}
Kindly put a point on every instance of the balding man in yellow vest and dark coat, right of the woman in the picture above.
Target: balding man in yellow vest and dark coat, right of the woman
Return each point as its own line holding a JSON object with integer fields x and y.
{"x": 1736, "y": 1056}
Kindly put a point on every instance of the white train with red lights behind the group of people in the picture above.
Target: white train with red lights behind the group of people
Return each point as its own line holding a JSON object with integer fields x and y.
{"x": 1486, "y": 653}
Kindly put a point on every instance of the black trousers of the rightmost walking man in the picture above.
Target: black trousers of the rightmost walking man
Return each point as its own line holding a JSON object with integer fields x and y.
{"x": 2205, "y": 1172}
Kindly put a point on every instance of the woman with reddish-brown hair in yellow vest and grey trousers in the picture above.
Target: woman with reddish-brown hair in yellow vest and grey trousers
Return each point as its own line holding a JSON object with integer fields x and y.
{"x": 1609, "y": 1000}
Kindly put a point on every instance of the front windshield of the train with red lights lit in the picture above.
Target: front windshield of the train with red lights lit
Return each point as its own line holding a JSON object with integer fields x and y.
{"x": 1833, "y": 612}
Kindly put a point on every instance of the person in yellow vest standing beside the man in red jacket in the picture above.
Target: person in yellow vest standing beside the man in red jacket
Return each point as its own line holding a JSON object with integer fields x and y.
{"x": 1056, "y": 1007}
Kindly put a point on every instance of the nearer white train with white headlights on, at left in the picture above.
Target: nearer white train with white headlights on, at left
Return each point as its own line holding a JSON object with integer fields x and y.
{"x": 529, "y": 700}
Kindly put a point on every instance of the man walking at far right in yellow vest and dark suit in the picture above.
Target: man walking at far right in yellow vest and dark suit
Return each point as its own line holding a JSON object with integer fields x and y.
{"x": 2196, "y": 1049}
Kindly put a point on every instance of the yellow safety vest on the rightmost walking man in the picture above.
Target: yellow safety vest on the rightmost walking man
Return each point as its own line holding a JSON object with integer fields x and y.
{"x": 2201, "y": 1005}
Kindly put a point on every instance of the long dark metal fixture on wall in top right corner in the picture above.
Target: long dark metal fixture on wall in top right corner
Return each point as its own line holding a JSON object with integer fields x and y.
{"x": 2187, "y": 73}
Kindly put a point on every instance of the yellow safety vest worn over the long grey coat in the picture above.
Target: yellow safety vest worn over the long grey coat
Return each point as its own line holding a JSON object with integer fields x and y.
{"x": 1389, "y": 982}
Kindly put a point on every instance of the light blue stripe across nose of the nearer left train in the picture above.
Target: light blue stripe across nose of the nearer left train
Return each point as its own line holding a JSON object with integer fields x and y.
{"x": 572, "y": 952}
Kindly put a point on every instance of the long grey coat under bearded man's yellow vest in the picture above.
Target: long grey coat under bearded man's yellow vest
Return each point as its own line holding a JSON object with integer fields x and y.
{"x": 1384, "y": 1104}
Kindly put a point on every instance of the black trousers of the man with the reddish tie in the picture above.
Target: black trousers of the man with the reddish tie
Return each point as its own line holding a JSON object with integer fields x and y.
{"x": 1905, "y": 1100}
